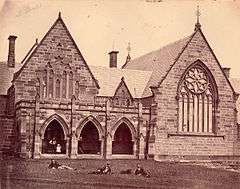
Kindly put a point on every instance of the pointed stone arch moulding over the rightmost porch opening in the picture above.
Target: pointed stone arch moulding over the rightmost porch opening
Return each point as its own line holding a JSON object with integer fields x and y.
{"x": 128, "y": 123}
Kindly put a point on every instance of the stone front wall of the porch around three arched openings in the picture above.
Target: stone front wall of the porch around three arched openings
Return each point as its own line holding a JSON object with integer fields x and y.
{"x": 73, "y": 118}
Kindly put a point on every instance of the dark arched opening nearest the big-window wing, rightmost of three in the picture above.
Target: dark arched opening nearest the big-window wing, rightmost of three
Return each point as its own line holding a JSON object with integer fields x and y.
{"x": 122, "y": 143}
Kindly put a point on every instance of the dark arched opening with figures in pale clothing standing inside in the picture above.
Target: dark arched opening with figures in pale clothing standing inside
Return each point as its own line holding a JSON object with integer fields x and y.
{"x": 53, "y": 142}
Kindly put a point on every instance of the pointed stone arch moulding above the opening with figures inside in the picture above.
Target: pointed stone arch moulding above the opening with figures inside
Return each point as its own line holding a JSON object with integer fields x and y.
{"x": 60, "y": 120}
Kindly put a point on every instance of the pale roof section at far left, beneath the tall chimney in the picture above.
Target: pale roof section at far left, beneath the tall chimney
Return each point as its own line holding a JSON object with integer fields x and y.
{"x": 6, "y": 76}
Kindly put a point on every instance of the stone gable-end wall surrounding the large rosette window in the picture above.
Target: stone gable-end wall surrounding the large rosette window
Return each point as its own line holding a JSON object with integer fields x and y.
{"x": 169, "y": 142}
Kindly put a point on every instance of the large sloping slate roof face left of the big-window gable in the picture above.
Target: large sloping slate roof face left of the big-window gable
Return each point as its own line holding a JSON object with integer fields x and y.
{"x": 159, "y": 61}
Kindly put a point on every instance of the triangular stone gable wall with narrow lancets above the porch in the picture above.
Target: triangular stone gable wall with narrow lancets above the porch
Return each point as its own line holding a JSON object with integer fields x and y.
{"x": 57, "y": 52}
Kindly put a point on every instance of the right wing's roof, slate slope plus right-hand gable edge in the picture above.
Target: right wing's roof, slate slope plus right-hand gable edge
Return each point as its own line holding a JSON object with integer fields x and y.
{"x": 161, "y": 61}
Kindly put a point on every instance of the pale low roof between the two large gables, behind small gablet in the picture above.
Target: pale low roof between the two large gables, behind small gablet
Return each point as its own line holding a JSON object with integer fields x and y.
{"x": 109, "y": 79}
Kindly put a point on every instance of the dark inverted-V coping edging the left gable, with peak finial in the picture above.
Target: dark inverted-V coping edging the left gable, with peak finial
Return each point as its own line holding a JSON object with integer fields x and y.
{"x": 59, "y": 19}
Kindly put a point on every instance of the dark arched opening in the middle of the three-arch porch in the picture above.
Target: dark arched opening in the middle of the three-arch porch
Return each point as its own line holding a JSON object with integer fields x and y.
{"x": 89, "y": 142}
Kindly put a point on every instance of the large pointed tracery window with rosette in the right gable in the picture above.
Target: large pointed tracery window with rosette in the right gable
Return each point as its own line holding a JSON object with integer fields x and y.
{"x": 197, "y": 100}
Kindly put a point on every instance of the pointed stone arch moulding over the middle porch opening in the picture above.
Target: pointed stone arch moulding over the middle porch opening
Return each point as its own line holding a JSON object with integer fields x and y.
{"x": 94, "y": 121}
